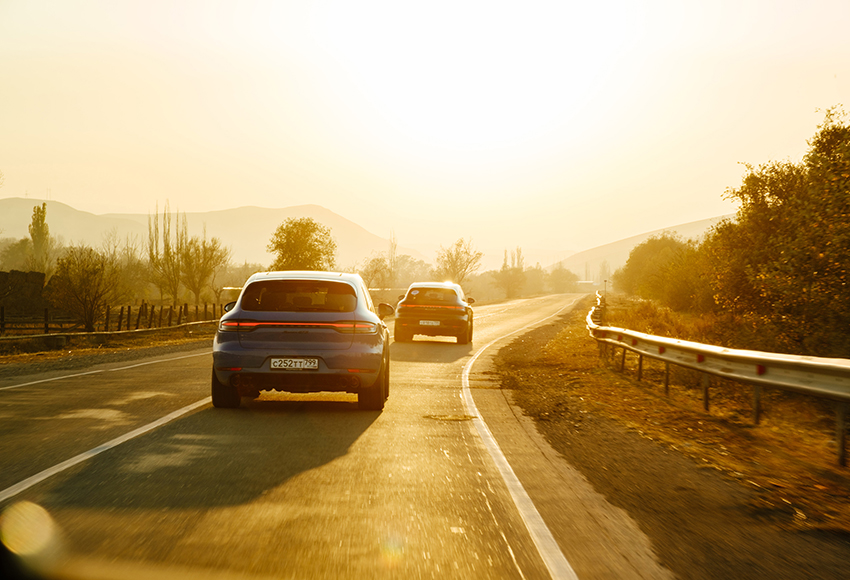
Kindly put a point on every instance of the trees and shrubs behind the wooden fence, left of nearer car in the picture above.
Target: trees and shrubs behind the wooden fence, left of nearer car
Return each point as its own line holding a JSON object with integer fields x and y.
{"x": 83, "y": 281}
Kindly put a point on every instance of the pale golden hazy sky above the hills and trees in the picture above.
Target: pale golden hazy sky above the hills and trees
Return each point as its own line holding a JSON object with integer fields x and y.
{"x": 569, "y": 124}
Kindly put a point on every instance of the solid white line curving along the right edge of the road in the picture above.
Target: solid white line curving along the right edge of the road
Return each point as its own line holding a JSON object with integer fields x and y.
{"x": 557, "y": 564}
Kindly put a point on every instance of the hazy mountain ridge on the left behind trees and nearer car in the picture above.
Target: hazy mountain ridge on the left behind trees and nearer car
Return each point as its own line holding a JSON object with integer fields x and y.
{"x": 246, "y": 230}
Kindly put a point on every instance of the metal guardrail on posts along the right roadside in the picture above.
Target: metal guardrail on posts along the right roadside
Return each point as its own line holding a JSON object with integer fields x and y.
{"x": 827, "y": 378}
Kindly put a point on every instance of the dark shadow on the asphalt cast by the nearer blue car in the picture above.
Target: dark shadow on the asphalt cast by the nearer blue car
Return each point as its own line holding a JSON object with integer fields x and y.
{"x": 217, "y": 457}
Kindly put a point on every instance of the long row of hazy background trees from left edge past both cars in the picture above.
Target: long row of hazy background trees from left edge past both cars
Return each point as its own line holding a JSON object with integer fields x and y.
{"x": 172, "y": 266}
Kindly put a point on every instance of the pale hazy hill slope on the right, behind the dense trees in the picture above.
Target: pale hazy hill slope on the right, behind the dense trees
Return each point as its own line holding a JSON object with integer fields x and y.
{"x": 586, "y": 264}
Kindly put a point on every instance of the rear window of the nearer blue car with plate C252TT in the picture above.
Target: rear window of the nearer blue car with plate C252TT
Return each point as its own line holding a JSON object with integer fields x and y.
{"x": 299, "y": 296}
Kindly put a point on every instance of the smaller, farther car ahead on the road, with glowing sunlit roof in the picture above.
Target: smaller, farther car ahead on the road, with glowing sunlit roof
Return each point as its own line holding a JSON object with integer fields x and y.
{"x": 434, "y": 309}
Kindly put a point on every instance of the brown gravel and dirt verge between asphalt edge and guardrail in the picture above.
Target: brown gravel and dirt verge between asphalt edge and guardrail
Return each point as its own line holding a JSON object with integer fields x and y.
{"x": 704, "y": 521}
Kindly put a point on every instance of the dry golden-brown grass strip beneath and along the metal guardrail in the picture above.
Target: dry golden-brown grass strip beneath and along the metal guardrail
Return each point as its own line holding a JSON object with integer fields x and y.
{"x": 790, "y": 457}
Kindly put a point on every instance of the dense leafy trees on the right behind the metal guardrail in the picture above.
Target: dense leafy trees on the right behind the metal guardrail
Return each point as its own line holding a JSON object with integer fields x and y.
{"x": 776, "y": 276}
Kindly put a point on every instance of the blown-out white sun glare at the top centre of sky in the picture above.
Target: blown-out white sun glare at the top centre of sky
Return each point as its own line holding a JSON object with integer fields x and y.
{"x": 465, "y": 78}
